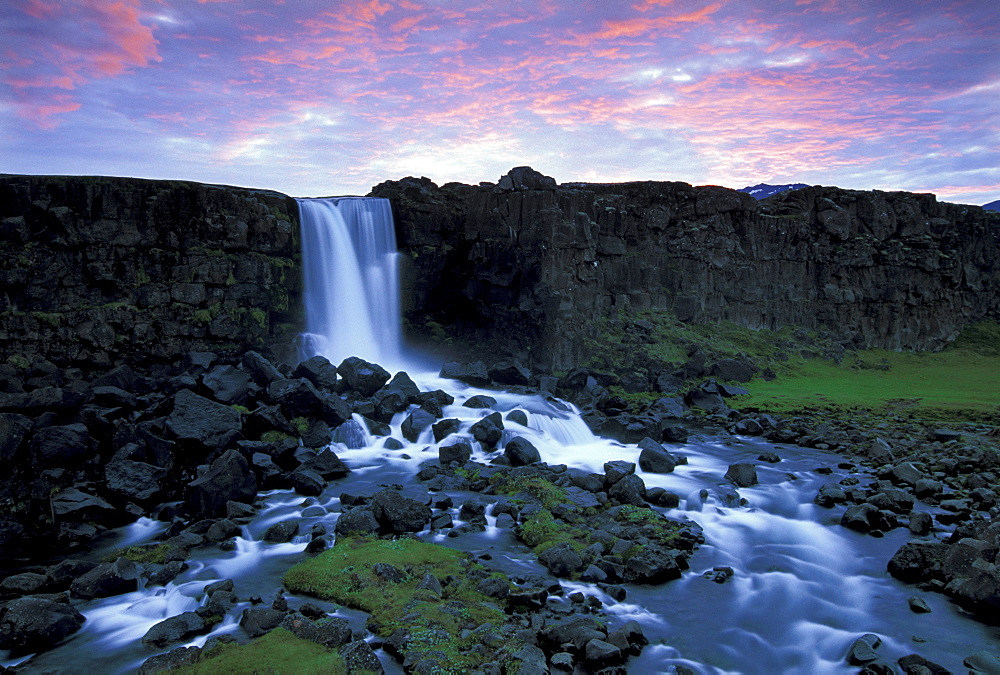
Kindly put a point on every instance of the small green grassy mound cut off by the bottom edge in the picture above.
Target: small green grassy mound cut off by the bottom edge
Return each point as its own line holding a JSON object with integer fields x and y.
{"x": 276, "y": 652}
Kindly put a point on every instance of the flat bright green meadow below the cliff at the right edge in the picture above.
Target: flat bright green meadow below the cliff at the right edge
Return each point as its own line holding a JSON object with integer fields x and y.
{"x": 954, "y": 384}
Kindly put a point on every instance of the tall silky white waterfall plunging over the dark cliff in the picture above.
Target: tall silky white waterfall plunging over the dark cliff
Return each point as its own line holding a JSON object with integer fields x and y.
{"x": 351, "y": 282}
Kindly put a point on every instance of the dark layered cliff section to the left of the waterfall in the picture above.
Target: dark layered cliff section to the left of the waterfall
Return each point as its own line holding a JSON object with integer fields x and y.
{"x": 99, "y": 270}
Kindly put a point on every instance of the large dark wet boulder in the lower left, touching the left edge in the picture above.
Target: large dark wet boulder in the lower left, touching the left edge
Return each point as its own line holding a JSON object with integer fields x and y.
{"x": 30, "y": 625}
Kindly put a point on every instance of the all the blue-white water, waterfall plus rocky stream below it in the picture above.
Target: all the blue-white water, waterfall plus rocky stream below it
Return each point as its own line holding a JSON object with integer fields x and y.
{"x": 803, "y": 588}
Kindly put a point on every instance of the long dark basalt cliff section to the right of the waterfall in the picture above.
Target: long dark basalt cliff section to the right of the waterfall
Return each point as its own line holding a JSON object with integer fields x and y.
{"x": 528, "y": 266}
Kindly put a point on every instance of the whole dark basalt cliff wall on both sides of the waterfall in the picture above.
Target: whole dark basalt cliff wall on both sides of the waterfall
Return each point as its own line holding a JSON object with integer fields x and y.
{"x": 101, "y": 271}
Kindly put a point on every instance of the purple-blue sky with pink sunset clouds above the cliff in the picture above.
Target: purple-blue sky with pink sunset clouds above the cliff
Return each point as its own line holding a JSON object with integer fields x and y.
{"x": 330, "y": 97}
